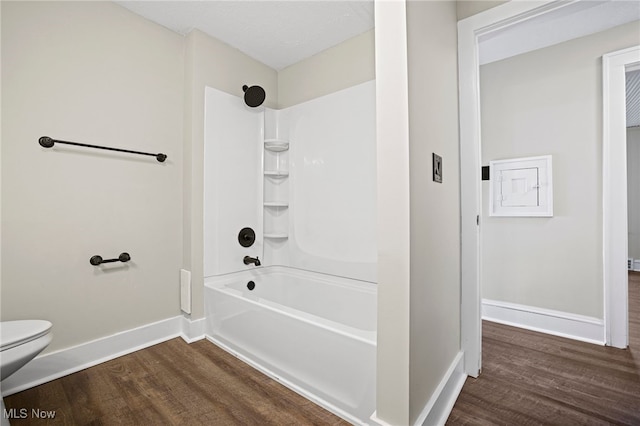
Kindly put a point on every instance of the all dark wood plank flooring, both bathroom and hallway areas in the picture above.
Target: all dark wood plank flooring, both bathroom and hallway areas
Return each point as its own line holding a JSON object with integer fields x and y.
{"x": 528, "y": 378}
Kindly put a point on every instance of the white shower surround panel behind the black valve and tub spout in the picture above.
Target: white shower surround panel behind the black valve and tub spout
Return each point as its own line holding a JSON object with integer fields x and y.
{"x": 232, "y": 181}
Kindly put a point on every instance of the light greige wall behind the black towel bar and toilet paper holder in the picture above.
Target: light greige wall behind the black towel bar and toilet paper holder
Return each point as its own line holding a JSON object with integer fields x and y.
{"x": 89, "y": 72}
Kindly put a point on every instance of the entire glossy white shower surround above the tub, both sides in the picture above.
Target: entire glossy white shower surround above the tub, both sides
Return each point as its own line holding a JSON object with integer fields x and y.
{"x": 330, "y": 220}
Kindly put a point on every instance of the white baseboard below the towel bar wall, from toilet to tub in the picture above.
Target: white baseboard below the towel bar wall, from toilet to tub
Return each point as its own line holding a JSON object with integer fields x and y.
{"x": 54, "y": 365}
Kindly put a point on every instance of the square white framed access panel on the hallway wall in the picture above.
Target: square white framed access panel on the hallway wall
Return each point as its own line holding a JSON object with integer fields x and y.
{"x": 521, "y": 187}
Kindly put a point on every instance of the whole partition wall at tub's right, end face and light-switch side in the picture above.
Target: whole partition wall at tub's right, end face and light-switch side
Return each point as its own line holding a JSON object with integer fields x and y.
{"x": 418, "y": 219}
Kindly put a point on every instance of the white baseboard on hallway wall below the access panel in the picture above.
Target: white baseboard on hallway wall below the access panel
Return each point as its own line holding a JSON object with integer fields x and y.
{"x": 563, "y": 324}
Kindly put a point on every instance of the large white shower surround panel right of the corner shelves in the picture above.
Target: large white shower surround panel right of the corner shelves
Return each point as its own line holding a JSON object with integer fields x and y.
{"x": 332, "y": 174}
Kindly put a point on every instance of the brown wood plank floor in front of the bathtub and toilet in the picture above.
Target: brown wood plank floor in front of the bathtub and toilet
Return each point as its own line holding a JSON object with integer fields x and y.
{"x": 172, "y": 383}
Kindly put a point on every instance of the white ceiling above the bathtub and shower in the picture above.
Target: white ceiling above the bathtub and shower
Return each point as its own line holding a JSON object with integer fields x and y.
{"x": 276, "y": 33}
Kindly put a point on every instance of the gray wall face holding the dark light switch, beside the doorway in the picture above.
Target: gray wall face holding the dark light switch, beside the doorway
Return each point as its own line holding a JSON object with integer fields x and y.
{"x": 435, "y": 207}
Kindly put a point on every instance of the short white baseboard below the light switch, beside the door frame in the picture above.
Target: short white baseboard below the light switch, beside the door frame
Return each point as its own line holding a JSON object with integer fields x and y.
{"x": 438, "y": 408}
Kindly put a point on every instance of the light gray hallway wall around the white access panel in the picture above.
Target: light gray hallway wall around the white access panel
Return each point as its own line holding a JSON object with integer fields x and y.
{"x": 549, "y": 101}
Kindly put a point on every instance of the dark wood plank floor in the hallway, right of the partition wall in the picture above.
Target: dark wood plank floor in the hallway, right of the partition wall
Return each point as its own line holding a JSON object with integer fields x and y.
{"x": 531, "y": 378}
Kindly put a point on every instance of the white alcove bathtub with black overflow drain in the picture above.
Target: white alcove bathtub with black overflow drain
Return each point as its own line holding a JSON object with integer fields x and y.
{"x": 315, "y": 333}
